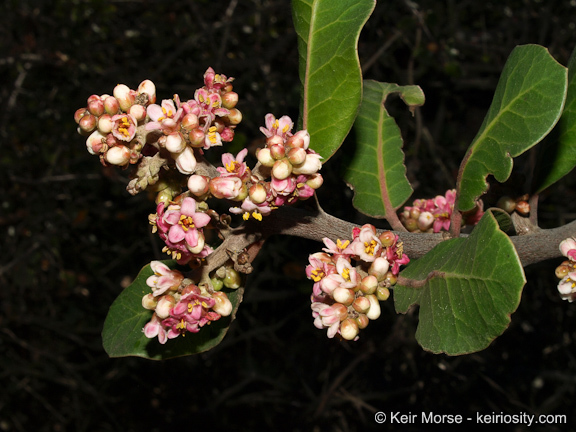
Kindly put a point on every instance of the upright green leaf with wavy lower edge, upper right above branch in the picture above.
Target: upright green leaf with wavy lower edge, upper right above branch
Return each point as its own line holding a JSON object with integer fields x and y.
{"x": 526, "y": 106}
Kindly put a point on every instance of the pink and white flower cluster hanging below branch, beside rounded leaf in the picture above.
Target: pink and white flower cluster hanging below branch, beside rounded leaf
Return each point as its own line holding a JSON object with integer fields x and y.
{"x": 346, "y": 297}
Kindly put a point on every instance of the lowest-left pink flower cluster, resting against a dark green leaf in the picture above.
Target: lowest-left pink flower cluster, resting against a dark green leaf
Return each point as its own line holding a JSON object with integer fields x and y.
{"x": 180, "y": 306}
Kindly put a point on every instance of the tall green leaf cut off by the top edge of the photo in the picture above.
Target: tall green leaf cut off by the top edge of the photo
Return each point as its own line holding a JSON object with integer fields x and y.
{"x": 330, "y": 73}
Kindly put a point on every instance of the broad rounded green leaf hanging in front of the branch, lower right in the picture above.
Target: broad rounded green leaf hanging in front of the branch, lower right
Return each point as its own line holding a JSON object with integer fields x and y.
{"x": 471, "y": 286}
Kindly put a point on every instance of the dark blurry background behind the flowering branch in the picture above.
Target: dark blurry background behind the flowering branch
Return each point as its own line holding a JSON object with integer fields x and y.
{"x": 72, "y": 237}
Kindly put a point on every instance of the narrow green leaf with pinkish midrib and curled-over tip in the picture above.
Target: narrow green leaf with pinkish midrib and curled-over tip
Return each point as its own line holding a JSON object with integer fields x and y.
{"x": 377, "y": 172}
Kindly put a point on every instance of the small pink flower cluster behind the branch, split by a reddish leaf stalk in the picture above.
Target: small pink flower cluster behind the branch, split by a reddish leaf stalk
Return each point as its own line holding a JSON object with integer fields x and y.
{"x": 433, "y": 215}
